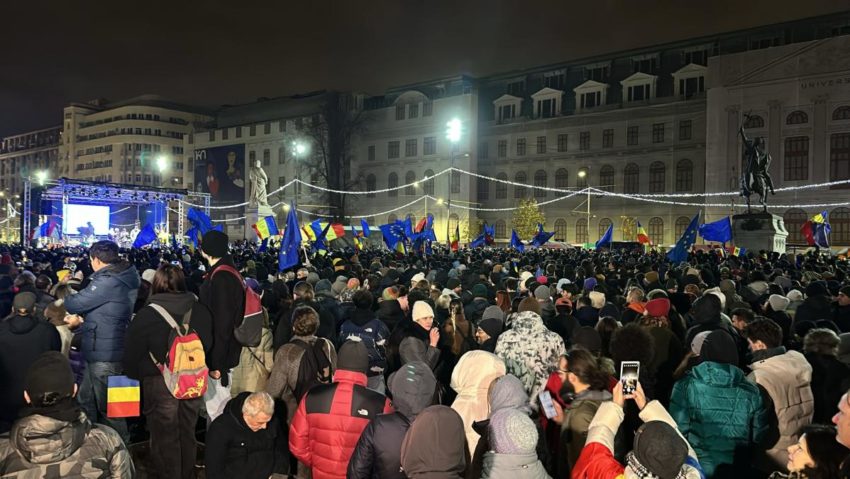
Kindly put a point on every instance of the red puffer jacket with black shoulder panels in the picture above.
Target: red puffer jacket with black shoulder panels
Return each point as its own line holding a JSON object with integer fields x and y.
{"x": 329, "y": 422}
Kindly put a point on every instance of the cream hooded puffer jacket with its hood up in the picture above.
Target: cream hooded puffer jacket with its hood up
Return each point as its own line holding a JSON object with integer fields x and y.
{"x": 471, "y": 380}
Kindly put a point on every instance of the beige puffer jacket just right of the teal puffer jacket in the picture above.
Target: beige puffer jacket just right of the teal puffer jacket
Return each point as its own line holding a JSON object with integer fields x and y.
{"x": 787, "y": 380}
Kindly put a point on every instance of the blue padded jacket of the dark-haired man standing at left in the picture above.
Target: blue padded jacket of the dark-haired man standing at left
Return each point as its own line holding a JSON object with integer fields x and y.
{"x": 106, "y": 305}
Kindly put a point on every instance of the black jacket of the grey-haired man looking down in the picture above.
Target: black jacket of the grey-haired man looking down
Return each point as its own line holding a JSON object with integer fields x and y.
{"x": 234, "y": 450}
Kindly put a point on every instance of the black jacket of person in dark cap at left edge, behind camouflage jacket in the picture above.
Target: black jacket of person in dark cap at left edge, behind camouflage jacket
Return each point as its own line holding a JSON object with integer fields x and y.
{"x": 22, "y": 340}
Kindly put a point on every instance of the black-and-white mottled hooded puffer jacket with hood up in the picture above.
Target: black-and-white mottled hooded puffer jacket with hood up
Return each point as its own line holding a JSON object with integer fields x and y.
{"x": 530, "y": 352}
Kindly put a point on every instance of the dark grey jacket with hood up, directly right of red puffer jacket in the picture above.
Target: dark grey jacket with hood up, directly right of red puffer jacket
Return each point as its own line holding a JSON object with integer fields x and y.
{"x": 378, "y": 452}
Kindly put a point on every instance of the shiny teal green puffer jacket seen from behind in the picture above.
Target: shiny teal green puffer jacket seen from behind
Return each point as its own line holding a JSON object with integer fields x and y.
{"x": 720, "y": 413}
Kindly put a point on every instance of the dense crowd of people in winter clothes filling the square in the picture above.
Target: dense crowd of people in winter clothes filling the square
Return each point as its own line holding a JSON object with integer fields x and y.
{"x": 482, "y": 363}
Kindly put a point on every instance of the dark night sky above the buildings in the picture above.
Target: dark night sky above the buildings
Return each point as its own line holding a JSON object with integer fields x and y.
{"x": 215, "y": 52}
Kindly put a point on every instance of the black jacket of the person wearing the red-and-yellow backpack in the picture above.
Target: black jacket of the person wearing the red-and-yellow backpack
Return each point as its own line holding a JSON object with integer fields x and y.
{"x": 149, "y": 333}
